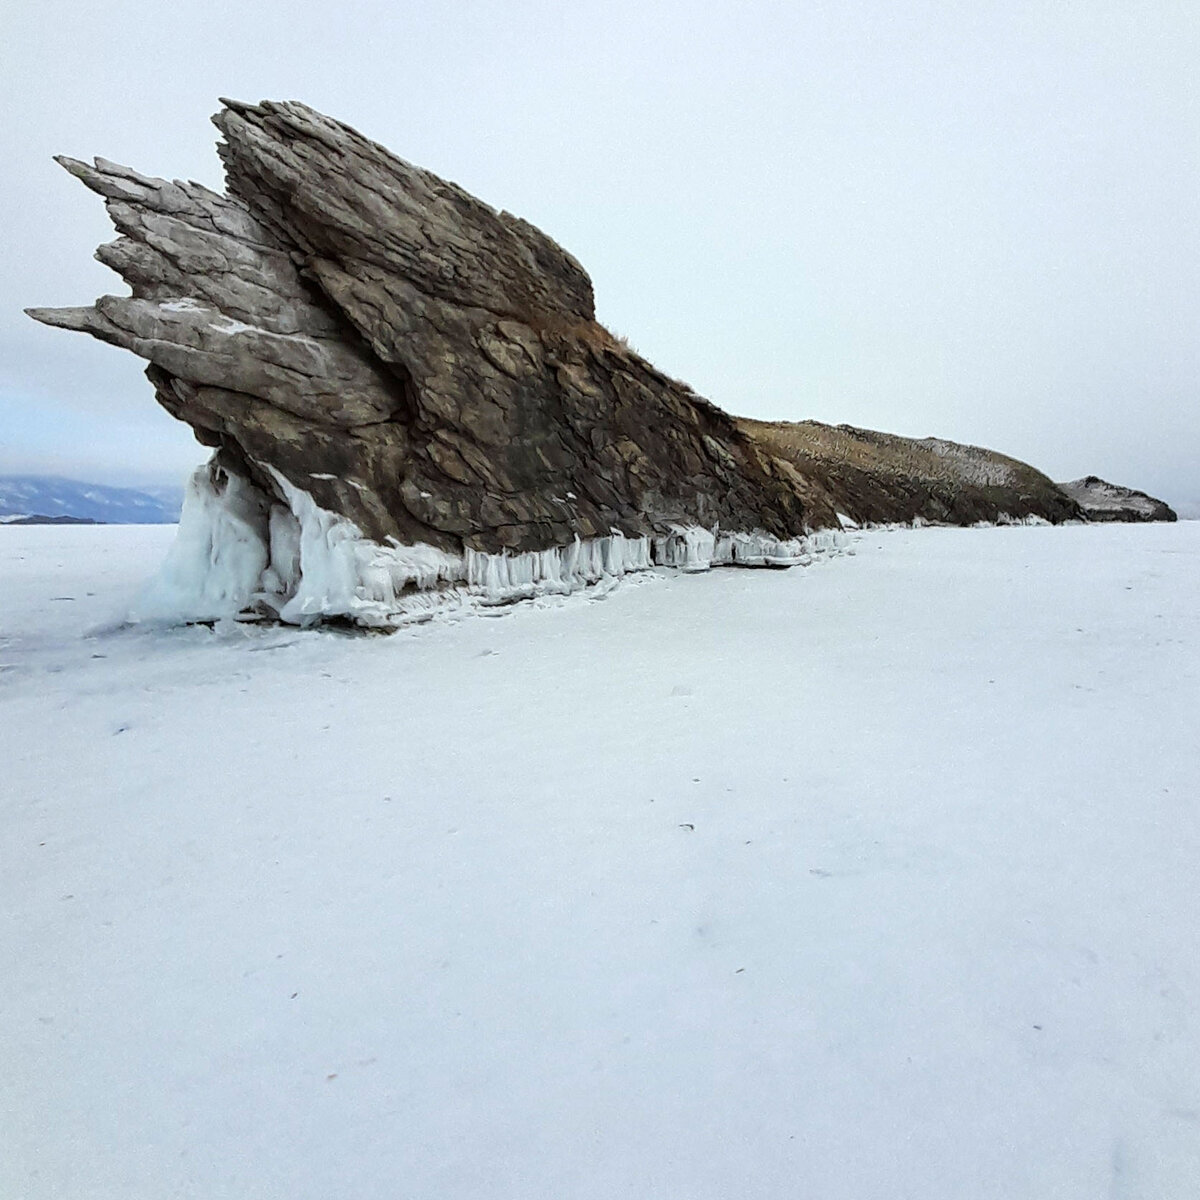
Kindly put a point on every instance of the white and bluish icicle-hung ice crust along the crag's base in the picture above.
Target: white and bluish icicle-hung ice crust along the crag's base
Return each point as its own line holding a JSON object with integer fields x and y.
{"x": 242, "y": 553}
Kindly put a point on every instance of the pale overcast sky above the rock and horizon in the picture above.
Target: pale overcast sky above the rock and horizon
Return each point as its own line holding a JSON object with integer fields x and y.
{"x": 975, "y": 220}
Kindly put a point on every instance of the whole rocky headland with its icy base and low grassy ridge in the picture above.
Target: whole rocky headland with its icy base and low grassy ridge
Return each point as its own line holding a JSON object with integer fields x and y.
{"x": 411, "y": 401}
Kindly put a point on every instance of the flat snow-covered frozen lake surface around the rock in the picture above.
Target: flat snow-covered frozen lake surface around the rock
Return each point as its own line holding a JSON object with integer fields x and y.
{"x": 872, "y": 880}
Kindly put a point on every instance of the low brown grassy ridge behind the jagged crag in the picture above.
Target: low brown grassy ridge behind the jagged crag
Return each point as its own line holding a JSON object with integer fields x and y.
{"x": 879, "y": 478}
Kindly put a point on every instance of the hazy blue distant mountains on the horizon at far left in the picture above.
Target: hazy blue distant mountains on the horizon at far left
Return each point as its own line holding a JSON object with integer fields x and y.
{"x": 37, "y": 500}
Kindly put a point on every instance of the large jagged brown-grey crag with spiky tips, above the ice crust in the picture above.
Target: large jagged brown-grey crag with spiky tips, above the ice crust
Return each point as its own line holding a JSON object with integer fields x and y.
{"x": 417, "y": 362}
